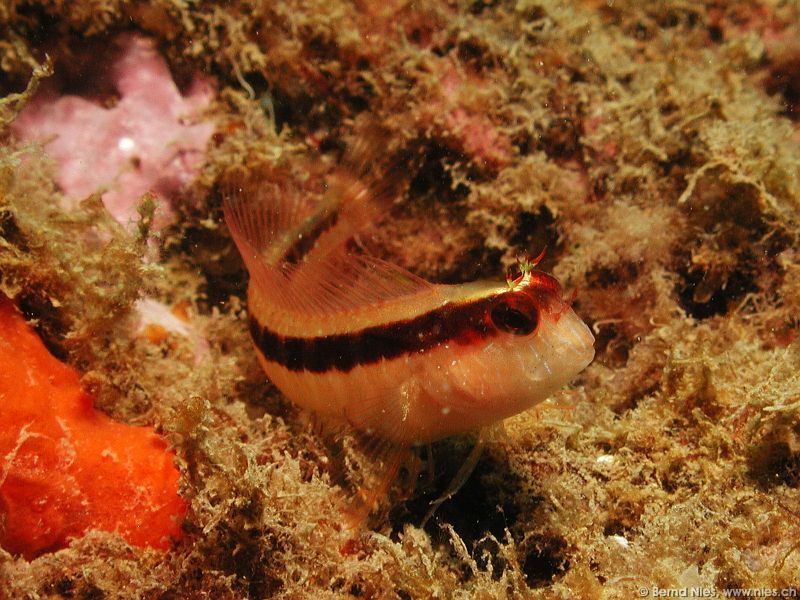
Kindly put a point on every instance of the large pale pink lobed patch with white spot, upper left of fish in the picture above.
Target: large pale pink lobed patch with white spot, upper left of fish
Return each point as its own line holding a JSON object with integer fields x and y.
{"x": 146, "y": 142}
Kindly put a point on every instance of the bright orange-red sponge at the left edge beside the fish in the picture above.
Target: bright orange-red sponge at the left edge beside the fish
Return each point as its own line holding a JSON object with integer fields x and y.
{"x": 65, "y": 467}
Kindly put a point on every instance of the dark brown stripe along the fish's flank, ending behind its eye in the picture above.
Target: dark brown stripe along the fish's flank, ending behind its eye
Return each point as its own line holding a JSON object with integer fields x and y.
{"x": 459, "y": 324}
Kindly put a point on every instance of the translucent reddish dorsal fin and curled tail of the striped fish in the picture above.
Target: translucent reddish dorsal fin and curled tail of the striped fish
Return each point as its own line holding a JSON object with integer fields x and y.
{"x": 300, "y": 250}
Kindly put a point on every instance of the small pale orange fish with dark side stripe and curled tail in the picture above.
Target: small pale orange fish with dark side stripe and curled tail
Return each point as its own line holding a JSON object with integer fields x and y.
{"x": 361, "y": 341}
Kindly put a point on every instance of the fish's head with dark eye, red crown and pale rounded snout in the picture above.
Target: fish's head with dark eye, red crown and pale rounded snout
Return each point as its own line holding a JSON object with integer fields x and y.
{"x": 527, "y": 343}
